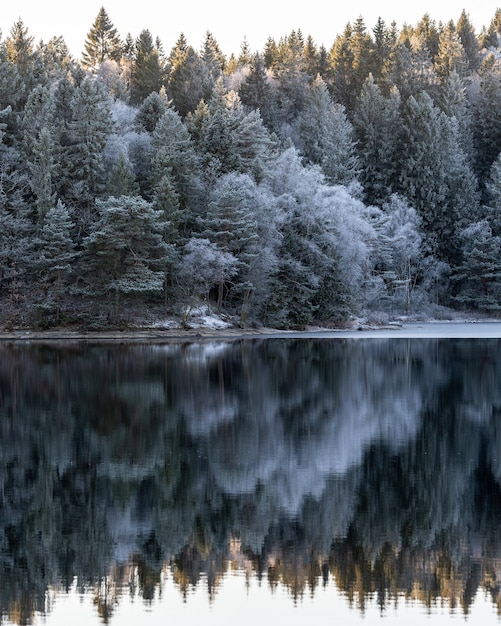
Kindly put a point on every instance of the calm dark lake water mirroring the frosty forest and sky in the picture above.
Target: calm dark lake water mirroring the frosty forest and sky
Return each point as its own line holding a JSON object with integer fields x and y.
{"x": 215, "y": 482}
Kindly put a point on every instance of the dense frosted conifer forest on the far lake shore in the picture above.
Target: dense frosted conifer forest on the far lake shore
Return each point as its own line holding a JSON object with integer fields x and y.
{"x": 286, "y": 187}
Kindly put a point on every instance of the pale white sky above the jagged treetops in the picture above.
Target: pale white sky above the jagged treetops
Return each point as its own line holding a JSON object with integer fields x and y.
{"x": 229, "y": 22}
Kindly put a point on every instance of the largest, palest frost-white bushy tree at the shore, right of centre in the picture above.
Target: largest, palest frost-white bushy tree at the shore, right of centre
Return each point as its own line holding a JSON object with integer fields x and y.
{"x": 323, "y": 250}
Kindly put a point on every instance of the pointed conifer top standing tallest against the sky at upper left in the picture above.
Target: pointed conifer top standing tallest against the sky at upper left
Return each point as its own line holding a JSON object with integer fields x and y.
{"x": 102, "y": 43}
